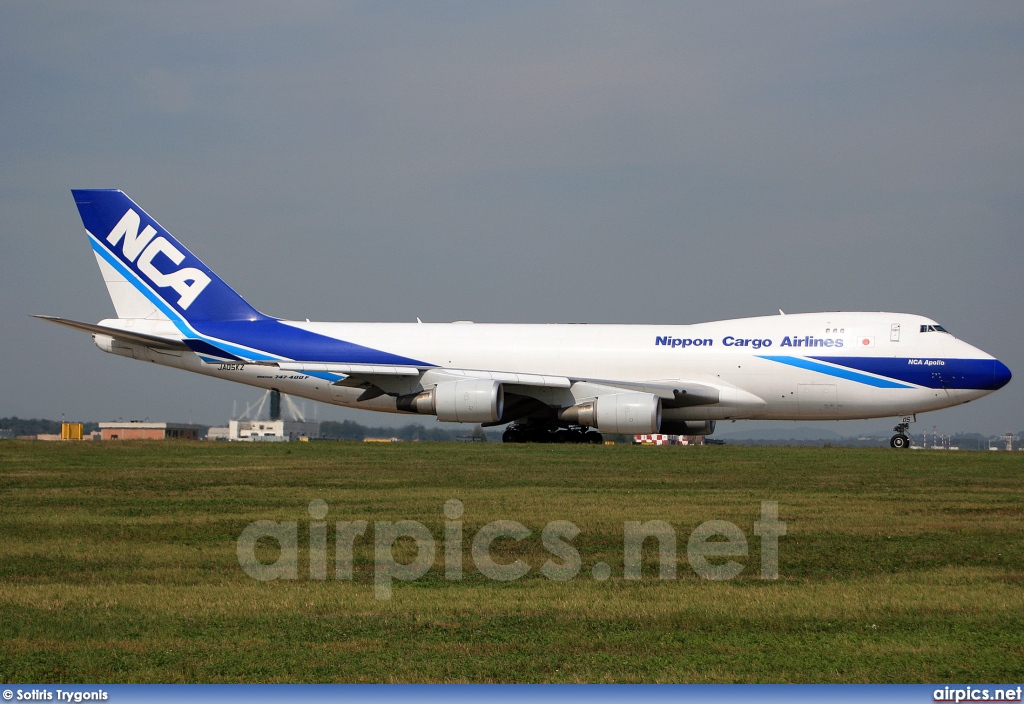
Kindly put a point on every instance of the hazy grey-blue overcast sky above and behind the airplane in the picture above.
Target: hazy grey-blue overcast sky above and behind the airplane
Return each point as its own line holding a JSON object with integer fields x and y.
{"x": 664, "y": 163}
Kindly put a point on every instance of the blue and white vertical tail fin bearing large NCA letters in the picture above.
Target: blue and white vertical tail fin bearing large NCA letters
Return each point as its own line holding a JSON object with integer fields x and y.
{"x": 149, "y": 274}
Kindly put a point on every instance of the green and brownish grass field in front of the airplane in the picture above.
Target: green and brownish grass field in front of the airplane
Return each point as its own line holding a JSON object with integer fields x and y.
{"x": 118, "y": 564}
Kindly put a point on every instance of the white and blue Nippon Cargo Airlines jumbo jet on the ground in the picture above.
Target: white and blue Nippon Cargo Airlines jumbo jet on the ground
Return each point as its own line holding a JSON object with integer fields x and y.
{"x": 548, "y": 383}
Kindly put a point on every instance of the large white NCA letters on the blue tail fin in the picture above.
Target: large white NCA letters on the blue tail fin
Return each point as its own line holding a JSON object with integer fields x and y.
{"x": 138, "y": 248}
